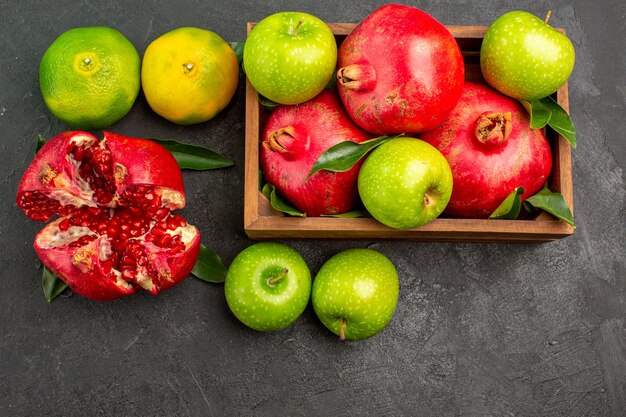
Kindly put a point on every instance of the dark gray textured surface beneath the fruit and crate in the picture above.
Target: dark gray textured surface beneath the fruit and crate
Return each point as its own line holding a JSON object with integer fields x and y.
{"x": 480, "y": 329}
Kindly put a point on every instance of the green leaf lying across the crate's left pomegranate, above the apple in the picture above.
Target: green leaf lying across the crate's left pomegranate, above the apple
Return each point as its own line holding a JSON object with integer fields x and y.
{"x": 344, "y": 155}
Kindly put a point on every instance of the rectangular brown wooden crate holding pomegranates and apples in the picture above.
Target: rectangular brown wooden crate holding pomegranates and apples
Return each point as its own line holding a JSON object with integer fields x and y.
{"x": 261, "y": 221}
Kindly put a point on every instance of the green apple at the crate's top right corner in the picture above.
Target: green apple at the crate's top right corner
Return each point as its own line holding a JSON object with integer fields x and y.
{"x": 525, "y": 58}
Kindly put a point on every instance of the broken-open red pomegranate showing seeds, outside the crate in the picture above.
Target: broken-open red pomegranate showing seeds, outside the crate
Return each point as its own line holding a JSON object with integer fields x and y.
{"x": 114, "y": 198}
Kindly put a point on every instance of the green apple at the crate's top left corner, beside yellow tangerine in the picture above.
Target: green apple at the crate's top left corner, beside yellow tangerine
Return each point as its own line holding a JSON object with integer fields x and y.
{"x": 289, "y": 57}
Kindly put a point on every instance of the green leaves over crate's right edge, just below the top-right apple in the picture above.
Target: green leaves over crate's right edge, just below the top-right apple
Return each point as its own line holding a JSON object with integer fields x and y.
{"x": 548, "y": 111}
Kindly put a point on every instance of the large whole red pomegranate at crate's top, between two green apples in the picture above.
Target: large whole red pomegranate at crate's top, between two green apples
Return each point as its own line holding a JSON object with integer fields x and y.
{"x": 400, "y": 71}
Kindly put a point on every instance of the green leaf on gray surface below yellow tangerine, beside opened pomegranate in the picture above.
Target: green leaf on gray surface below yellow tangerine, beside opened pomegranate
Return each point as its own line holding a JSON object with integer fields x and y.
{"x": 194, "y": 157}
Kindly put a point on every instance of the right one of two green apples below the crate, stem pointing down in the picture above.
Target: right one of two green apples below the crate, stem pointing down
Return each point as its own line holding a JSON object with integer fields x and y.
{"x": 355, "y": 293}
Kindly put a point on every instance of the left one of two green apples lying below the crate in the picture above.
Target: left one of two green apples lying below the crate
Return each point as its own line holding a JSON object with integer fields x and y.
{"x": 267, "y": 286}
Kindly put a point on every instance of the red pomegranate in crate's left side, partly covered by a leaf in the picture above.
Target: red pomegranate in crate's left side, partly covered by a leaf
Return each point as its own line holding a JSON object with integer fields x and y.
{"x": 294, "y": 137}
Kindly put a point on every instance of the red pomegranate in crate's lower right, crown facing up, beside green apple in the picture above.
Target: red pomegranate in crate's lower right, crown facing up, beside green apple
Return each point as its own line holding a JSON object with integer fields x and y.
{"x": 491, "y": 149}
